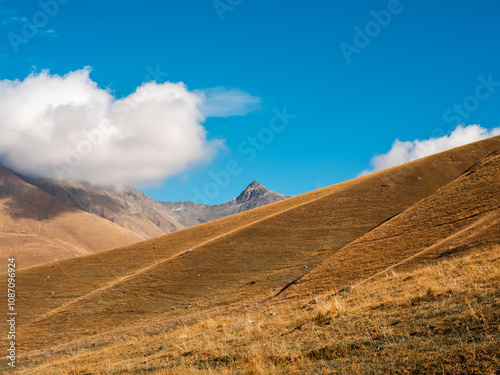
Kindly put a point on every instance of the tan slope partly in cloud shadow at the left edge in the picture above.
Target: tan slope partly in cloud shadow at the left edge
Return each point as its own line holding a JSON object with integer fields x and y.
{"x": 36, "y": 227}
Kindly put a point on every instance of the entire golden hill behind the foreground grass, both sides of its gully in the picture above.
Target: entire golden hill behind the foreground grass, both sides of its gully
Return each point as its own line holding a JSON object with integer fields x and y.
{"x": 323, "y": 240}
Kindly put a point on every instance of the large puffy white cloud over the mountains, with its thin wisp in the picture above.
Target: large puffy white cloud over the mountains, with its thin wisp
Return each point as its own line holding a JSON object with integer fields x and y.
{"x": 67, "y": 127}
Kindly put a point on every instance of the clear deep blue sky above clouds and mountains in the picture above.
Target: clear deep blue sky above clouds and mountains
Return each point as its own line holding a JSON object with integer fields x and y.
{"x": 401, "y": 83}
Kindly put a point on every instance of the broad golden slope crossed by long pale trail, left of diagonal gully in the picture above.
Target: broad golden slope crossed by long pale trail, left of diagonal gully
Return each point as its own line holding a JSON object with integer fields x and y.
{"x": 249, "y": 254}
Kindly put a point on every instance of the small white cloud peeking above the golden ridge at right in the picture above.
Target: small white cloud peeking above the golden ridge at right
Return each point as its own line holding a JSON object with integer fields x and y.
{"x": 402, "y": 152}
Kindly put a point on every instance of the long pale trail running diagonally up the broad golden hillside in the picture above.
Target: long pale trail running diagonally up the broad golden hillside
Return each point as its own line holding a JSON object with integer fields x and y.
{"x": 155, "y": 264}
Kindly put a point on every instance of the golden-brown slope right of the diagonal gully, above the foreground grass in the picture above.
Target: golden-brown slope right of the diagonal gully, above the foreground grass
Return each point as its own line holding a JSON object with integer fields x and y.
{"x": 461, "y": 215}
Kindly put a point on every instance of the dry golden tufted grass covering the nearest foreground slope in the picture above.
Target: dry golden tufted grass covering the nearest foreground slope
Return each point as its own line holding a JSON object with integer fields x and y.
{"x": 442, "y": 318}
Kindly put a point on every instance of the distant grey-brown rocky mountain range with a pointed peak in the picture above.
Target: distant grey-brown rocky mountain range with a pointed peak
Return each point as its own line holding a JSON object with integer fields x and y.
{"x": 145, "y": 216}
